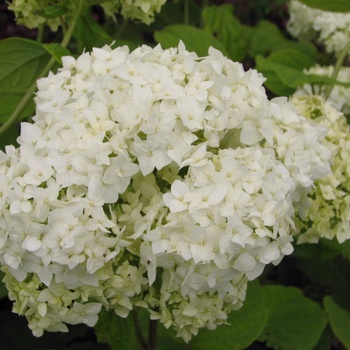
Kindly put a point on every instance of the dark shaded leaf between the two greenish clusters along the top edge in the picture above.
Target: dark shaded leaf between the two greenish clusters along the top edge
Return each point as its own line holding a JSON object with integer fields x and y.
{"x": 90, "y": 34}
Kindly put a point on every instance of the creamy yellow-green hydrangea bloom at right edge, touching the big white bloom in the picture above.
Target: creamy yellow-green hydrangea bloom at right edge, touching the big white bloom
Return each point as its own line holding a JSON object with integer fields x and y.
{"x": 328, "y": 214}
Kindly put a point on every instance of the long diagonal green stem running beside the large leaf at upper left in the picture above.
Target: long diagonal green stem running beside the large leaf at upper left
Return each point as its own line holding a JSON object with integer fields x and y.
{"x": 29, "y": 94}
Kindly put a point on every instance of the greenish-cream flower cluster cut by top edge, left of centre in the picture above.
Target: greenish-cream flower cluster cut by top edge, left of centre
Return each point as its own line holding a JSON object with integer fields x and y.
{"x": 141, "y": 10}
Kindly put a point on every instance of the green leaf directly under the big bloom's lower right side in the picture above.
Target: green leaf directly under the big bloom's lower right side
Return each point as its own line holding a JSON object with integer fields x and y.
{"x": 245, "y": 325}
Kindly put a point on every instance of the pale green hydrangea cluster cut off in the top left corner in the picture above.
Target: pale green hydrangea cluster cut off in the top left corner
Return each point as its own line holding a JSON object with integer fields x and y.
{"x": 30, "y": 13}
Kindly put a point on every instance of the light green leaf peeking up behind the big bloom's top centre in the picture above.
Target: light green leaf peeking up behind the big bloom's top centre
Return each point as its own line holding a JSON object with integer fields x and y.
{"x": 195, "y": 39}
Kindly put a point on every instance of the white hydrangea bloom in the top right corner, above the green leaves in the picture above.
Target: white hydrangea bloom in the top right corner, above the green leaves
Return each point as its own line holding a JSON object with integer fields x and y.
{"x": 331, "y": 29}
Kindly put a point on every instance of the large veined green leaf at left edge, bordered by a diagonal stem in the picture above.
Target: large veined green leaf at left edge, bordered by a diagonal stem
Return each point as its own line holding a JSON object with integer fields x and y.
{"x": 21, "y": 62}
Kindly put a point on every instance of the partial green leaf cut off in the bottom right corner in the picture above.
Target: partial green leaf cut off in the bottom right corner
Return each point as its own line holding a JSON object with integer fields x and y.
{"x": 339, "y": 320}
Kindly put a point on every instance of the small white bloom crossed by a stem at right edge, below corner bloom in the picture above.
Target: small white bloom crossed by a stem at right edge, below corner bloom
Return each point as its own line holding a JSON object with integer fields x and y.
{"x": 340, "y": 95}
